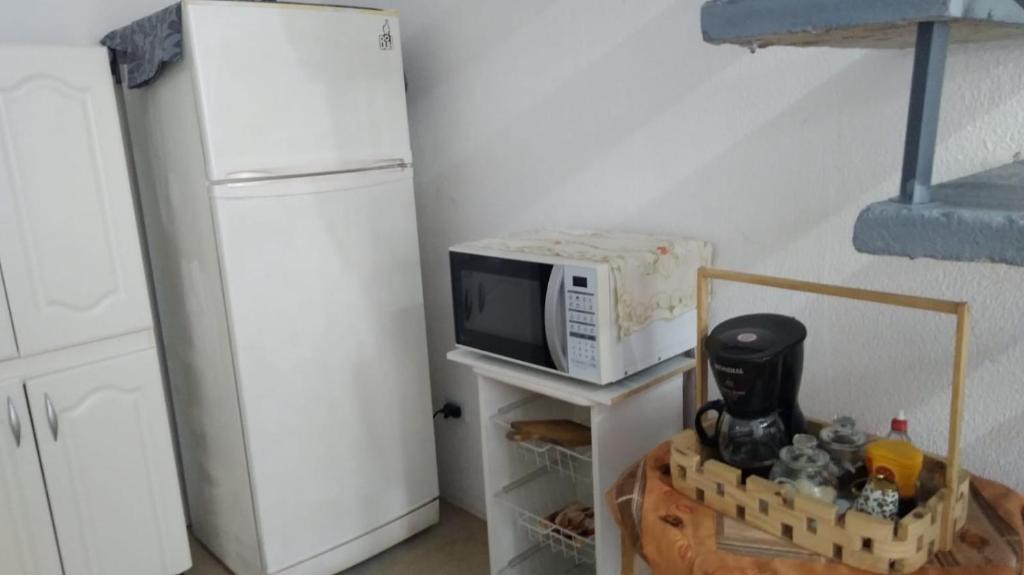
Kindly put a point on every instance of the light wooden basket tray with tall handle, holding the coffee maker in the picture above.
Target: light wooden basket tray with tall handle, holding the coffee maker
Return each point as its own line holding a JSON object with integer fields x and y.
{"x": 857, "y": 539}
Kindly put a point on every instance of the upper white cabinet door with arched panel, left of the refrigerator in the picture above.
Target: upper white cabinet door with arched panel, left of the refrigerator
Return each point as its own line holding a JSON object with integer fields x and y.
{"x": 69, "y": 243}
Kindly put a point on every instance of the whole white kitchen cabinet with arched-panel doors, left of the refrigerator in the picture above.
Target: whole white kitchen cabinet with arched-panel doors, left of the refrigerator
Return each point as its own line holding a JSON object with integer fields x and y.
{"x": 88, "y": 479}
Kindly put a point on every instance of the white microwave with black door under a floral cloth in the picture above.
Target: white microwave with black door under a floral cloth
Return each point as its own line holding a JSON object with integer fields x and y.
{"x": 554, "y": 314}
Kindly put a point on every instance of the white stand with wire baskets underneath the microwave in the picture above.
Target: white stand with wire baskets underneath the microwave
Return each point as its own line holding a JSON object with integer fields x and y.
{"x": 526, "y": 482}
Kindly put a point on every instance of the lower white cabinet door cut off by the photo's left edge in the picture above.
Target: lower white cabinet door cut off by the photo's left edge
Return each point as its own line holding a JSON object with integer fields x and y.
{"x": 27, "y": 544}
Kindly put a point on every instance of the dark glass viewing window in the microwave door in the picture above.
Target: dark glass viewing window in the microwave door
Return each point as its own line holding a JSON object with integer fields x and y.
{"x": 504, "y": 306}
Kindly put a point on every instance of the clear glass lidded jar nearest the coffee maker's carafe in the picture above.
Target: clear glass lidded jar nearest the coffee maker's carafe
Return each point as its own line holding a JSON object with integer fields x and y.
{"x": 805, "y": 469}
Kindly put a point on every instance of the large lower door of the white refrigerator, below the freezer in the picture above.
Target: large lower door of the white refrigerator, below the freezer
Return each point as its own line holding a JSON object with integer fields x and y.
{"x": 325, "y": 301}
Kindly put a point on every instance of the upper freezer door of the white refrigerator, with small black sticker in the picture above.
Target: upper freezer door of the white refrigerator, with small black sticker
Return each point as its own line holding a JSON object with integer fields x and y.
{"x": 293, "y": 90}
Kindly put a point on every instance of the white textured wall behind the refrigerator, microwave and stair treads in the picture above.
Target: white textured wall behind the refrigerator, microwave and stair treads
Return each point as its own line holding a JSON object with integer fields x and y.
{"x": 614, "y": 115}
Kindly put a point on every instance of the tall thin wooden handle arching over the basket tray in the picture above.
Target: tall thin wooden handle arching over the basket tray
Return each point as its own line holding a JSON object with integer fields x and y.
{"x": 960, "y": 309}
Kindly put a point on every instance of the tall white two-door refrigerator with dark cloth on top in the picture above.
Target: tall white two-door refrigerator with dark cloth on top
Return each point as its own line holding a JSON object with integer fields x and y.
{"x": 276, "y": 183}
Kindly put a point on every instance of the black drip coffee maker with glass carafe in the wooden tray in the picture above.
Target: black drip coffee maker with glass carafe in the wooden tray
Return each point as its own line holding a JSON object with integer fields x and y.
{"x": 757, "y": 362}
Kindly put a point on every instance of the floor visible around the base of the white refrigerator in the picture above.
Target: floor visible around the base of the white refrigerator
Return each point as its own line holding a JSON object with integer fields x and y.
{"x": 458, "y": 546}
